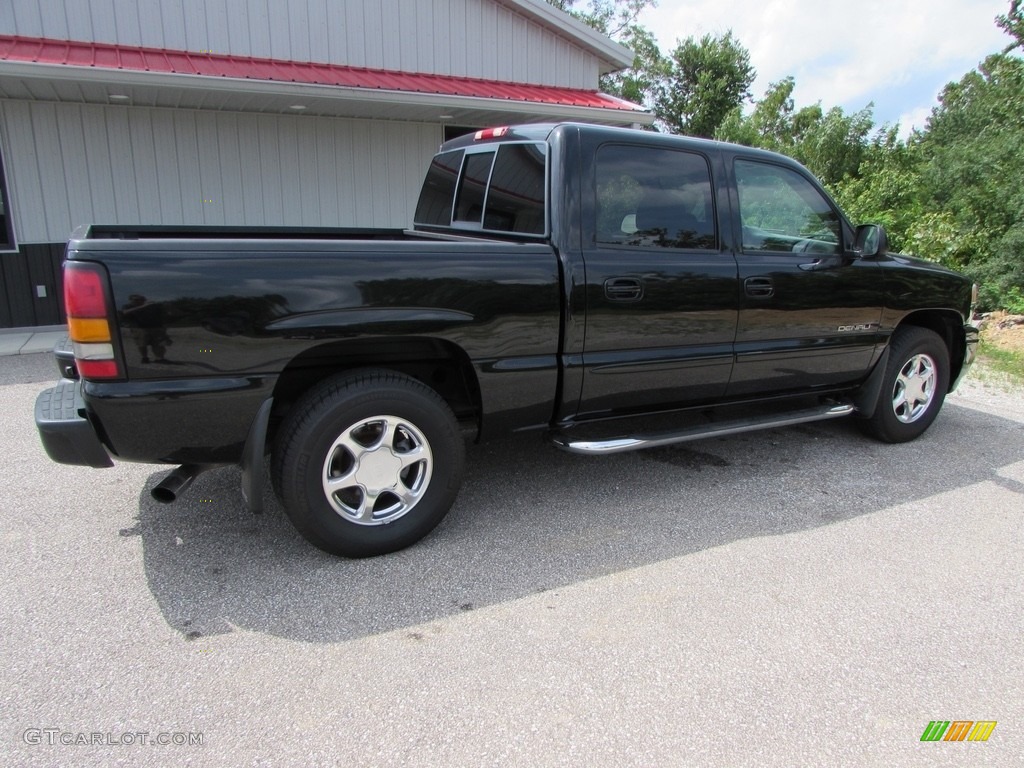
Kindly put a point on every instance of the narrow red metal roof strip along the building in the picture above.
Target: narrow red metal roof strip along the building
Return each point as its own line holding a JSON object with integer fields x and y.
{"x": 104, "y": 56}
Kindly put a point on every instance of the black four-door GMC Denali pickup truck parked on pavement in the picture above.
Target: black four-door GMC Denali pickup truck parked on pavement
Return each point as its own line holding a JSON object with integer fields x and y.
{"x": 578, "y": 281}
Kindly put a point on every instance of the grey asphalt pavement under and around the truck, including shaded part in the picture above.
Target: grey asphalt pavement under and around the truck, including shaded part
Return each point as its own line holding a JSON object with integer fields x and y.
{"x": 801, "y": 596}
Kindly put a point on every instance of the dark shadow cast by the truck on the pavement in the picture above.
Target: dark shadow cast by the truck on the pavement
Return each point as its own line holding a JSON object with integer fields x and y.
{"x": 531, "y": 519}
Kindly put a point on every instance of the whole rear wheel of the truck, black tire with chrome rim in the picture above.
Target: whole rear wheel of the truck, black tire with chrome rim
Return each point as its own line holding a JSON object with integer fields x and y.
{"x": 368, "y": 463}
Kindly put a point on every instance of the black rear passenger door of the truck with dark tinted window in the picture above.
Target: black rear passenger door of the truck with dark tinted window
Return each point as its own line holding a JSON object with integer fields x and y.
{"x": 661, "y": 289}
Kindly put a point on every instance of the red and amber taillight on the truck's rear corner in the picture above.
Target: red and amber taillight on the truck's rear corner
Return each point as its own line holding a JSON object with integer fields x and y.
{"x": 89, "y": 321}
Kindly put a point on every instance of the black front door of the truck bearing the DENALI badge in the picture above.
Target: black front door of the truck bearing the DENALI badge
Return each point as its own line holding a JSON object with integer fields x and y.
{"x": 809, "y": 310}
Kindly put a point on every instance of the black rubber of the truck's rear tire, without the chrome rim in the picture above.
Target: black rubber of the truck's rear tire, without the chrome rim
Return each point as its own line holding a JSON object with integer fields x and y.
{"x": 357, "y": 401}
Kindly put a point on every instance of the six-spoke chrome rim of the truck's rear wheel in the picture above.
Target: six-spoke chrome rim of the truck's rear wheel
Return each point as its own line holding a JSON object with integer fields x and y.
{"x": 377, "y": 471}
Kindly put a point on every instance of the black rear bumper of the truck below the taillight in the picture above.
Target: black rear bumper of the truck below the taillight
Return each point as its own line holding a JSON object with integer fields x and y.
{"x": 68, "y": 436}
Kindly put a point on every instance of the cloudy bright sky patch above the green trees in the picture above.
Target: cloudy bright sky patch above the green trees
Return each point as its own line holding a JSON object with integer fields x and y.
{"x": 895, "y": 54}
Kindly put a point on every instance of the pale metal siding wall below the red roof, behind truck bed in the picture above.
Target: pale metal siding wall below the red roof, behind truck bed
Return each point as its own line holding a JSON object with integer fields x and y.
{"x": 78, "y": 164}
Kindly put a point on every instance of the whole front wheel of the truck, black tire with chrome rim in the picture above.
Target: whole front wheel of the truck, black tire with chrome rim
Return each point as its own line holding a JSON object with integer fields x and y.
{"x": 914, "y": 387}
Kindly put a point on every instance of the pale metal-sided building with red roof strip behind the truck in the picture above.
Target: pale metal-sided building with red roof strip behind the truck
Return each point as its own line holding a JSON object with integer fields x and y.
{"x": 257, "y": 113}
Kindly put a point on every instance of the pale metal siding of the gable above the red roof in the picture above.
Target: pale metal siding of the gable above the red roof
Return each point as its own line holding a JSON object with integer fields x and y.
{"x": 466, "y": 38}
